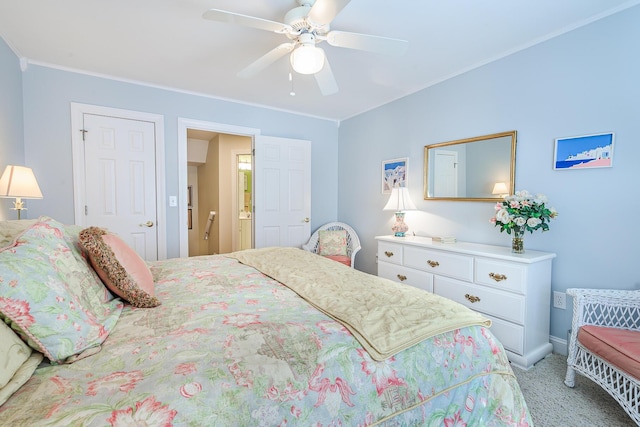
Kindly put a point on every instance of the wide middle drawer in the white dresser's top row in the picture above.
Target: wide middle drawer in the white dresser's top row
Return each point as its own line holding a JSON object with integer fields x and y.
{"x": 437, "y": 262}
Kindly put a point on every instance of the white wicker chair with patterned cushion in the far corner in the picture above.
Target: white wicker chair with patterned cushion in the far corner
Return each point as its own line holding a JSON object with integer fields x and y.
{"x": 335, "y": 240}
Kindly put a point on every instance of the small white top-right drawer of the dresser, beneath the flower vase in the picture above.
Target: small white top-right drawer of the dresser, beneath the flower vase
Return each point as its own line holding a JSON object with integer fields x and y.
{"x": 502, "y": 275}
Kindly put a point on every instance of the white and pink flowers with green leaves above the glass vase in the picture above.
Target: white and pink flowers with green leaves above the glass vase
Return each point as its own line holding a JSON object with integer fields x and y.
{"x": 523, "y": 212}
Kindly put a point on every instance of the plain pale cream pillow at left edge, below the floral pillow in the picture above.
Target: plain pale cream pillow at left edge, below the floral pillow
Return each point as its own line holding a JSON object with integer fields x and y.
{"x": 17, "y": 362}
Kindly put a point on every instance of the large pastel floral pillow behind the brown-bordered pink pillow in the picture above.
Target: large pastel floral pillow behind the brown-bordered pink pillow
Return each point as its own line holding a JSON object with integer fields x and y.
{"x": 47, "y": 296}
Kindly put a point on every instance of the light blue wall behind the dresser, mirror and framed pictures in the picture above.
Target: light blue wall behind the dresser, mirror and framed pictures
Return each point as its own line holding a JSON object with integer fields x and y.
{"x": 586, "y": 81}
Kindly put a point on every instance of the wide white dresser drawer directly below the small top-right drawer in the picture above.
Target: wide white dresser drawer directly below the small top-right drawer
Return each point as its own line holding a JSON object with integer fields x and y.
{"x": 507, "y": 306}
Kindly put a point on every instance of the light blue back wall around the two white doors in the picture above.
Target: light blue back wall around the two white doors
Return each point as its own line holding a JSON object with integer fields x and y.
{"x": 47, "y": 96}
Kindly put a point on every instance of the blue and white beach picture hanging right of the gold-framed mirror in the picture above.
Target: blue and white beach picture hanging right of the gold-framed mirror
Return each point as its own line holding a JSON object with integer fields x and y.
{"x": 584, "y": 152}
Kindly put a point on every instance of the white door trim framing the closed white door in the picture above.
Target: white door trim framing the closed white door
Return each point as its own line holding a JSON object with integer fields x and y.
{"x": 77, "y": 146}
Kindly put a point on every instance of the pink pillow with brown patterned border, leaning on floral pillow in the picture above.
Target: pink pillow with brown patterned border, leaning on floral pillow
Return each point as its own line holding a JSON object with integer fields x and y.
{"x": 120, "y": 267}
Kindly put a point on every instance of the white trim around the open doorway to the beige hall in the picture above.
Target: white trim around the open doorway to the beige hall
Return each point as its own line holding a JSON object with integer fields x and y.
{"x": 183, "y": 125}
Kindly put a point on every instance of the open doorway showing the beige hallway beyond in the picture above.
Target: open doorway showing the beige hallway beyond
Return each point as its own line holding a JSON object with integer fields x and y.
{"x": 219, "y": 192}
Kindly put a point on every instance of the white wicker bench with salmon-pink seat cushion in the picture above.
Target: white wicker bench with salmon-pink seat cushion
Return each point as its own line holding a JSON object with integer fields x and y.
{"x": 605, "y": 343}
